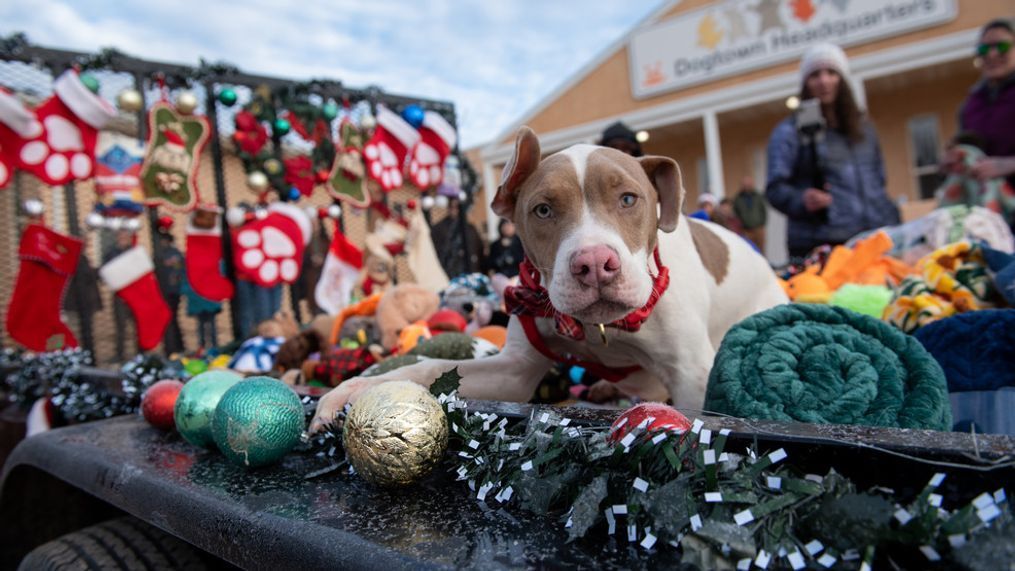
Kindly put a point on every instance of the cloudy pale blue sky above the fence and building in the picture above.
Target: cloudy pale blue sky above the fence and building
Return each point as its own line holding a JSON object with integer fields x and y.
{"x": 494, "y": 59}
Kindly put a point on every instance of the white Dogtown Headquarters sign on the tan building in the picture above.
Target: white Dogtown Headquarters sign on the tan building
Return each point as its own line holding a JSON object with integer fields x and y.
{"x": 738, "y": 36}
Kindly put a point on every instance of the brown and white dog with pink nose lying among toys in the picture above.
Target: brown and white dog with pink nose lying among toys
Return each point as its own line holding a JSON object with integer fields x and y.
{"x": 590, "y": 220}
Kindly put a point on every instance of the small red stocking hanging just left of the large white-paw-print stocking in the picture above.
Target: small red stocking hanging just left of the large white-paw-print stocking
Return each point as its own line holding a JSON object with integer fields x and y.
{"x": 205, "y": 255}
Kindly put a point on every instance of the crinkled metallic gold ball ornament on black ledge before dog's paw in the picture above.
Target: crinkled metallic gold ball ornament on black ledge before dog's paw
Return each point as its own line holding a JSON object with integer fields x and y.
{"x": 395, "y": 435}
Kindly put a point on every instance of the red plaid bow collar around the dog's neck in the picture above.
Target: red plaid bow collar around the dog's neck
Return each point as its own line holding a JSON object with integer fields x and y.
{"x": 530, "y": 299}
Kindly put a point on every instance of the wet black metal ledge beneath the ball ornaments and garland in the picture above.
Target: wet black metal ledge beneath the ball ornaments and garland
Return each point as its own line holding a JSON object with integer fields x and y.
{"x": 277, "y": 519}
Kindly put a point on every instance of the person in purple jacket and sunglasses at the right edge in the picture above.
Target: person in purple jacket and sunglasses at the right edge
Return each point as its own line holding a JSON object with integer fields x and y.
{"x": 989, "y": 111}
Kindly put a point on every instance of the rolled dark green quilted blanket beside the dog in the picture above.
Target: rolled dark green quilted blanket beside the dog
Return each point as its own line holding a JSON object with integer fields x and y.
{"x": 824, "y": 365}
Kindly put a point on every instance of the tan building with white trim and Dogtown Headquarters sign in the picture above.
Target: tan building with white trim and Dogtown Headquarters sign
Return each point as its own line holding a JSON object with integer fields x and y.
{"x": 709, "y": 82}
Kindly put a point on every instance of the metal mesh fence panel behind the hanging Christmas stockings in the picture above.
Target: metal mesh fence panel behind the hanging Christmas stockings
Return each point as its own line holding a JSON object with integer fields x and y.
{"x": 89, "y": 307}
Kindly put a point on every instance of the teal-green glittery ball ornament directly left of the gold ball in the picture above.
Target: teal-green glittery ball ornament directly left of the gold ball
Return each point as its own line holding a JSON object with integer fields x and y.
{"x": 258, "y": 421}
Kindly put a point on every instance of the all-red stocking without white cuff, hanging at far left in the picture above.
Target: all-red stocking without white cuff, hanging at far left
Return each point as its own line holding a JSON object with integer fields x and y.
{"x": 48, "y": 261}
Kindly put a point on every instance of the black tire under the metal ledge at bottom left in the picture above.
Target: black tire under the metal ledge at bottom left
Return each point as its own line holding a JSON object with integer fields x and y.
{"x": 124, "y": 544}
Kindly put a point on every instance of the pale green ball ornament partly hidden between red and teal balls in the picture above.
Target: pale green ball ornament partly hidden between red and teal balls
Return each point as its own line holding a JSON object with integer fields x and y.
{"x": 196, "y": 405}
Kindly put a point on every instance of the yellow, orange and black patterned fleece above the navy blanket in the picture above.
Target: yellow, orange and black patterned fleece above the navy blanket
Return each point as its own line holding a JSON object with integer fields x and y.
{"x": 954, "y": 280}
